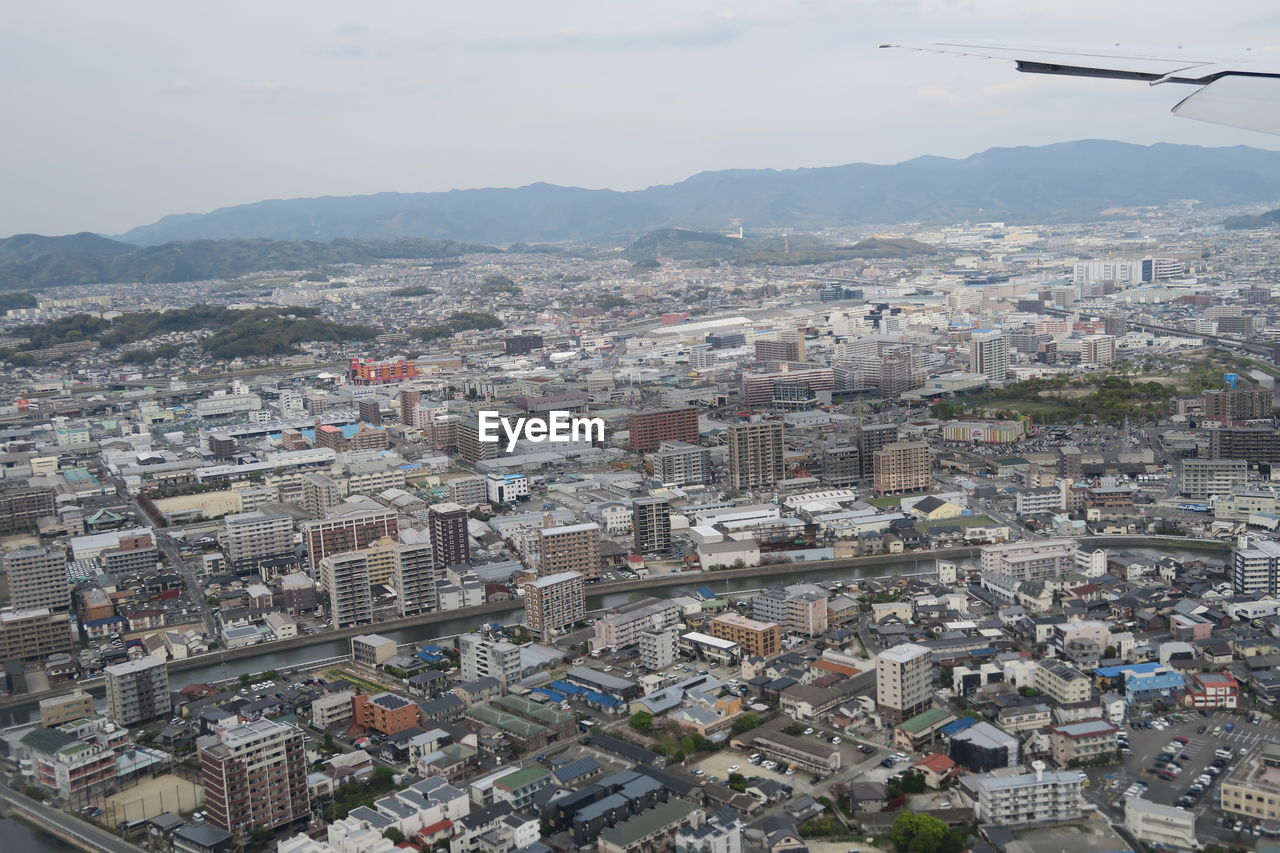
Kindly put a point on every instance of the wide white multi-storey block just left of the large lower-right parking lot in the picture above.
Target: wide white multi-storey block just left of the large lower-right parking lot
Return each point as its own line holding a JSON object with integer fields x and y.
{"x": 1016, "y": 800}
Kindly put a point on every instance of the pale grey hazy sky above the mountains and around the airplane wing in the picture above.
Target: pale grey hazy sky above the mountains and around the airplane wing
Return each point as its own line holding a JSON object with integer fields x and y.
{"x": 120, "y": 113}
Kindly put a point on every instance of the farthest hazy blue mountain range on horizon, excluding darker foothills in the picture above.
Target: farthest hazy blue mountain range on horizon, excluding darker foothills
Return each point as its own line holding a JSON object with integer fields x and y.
{"x": 1060, "y": 183}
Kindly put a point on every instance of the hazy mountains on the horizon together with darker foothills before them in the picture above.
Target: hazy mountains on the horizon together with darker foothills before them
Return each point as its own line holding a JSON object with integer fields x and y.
{"x": 1063, "y": 183}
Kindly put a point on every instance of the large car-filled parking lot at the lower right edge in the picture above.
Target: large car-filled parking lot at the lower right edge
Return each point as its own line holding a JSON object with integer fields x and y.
{"x": 1109, "y": 786}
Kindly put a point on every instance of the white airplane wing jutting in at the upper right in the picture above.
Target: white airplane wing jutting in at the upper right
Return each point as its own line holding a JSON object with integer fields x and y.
{"x": 1242, "y": 92}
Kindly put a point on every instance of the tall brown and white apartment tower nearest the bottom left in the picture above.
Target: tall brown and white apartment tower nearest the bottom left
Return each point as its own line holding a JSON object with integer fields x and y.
{"x": 255, "y": 777}
